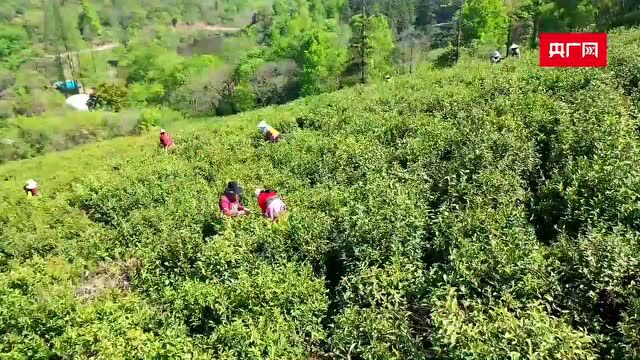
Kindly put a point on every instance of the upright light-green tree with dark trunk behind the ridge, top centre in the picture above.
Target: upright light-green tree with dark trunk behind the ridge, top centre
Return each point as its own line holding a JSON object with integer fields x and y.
{"x": 371, "y": 46}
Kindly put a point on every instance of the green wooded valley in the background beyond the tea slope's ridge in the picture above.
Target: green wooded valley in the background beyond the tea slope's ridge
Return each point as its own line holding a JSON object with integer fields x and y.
{"x": 172, "y": 53}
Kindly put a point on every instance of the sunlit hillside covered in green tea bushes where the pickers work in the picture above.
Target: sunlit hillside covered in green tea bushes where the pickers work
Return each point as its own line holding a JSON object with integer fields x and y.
{"x": 478, "y": 212}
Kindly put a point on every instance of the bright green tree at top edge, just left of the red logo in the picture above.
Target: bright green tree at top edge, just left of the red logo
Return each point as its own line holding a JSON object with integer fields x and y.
{"x": 483, "y": 20}
